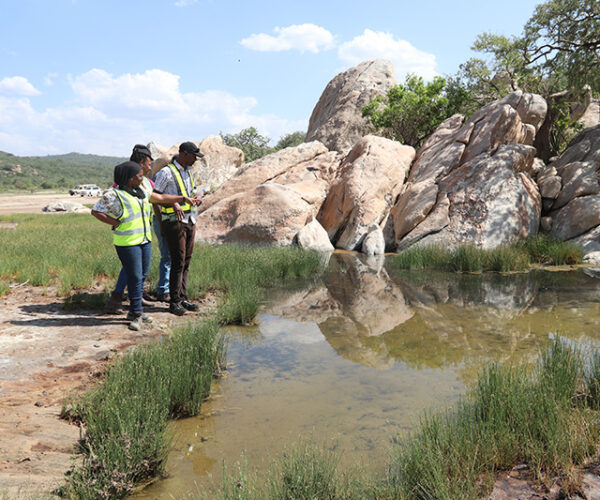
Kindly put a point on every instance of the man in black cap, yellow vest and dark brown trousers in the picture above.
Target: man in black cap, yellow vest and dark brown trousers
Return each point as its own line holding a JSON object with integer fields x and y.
{"x": 178, "y": 224}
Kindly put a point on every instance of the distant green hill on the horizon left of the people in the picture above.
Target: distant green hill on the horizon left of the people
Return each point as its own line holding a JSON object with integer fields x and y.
{"x": 55, "y": 171}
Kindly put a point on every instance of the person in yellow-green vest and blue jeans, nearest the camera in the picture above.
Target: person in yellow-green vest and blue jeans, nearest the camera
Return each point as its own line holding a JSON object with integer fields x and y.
{"x": 127, "y": 209}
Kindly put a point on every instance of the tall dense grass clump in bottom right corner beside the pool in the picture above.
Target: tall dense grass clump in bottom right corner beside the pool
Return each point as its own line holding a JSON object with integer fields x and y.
{"x": 513, "y": 415}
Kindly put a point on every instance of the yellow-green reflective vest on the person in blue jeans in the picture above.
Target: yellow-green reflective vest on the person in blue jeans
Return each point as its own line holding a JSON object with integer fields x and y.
{"x": 135, "y": 220}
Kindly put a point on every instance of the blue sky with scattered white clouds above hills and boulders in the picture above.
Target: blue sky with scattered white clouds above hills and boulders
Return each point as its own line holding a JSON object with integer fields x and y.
{"x": 98, "y": 76}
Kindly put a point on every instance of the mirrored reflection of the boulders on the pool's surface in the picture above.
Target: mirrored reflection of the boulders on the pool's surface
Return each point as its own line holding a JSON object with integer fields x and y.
{"x": 374, "y": 315}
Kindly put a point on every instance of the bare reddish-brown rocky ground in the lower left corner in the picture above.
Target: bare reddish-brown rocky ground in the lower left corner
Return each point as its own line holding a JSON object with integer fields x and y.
{"x": 46, "y": 353}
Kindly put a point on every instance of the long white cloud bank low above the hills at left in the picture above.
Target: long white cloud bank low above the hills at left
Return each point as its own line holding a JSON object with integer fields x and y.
{"x": 106, "y": 114}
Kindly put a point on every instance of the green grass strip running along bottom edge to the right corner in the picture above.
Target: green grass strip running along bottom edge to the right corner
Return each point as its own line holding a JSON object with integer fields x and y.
{"x": 546, "y": 415}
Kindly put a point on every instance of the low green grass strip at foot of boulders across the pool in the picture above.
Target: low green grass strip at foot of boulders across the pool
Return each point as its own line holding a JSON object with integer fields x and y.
{"x": 542, "y": 249}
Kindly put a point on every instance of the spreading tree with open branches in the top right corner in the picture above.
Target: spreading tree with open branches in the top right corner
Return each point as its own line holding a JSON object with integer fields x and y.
{"x": 557, "y": 56}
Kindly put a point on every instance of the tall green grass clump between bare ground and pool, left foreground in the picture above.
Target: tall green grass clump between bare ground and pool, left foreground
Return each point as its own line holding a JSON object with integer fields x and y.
{"x": 127, "y": 439}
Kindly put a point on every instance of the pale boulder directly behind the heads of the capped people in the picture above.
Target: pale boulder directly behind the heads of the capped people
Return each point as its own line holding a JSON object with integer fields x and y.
{"x": 220, "y": 162}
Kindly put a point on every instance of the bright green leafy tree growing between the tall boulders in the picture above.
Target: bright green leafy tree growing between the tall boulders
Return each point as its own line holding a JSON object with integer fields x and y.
{"x": 410, "y": 112}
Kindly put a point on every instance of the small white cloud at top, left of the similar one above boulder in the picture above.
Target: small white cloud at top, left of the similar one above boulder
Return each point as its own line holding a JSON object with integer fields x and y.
{"x": 302, "y": 37}
